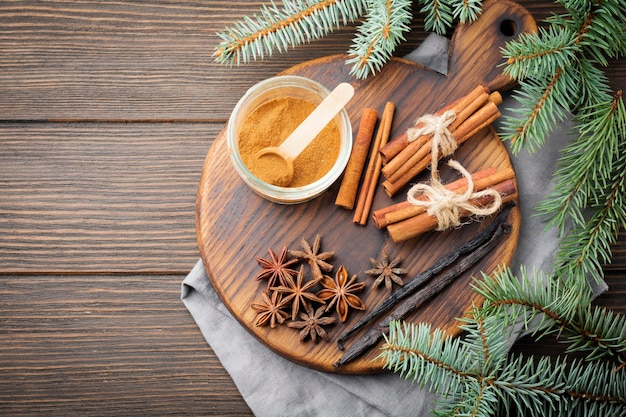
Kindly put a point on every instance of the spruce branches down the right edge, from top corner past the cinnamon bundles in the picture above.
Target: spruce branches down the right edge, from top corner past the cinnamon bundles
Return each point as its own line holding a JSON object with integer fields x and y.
{"x": 559, "y": 70}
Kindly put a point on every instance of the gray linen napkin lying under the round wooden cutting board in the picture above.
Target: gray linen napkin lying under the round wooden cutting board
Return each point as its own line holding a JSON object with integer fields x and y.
{"x": 273, "y": 386}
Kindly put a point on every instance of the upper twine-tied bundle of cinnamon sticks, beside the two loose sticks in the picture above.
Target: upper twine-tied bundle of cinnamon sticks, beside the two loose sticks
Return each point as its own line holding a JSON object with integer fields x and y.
{"x": 403, "y": 159}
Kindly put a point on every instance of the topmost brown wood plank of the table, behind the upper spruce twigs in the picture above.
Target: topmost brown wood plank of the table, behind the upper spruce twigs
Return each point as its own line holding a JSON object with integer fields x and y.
{"x": 144, "y": 61}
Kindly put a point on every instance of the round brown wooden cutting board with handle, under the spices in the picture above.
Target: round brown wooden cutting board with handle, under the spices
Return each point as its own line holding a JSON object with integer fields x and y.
{"x": 234, "y": 225}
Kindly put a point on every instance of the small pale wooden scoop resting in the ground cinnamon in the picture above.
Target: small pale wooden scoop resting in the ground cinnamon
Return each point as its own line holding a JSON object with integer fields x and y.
{"x": 283, "y": 155}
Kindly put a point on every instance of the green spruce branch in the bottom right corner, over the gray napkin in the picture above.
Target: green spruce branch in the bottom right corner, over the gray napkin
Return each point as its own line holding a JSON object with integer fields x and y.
{"x": 477, "y": 377}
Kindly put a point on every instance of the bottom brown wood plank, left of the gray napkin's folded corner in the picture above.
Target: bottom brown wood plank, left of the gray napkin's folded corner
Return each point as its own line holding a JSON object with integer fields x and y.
{"x": 106, "y": 345}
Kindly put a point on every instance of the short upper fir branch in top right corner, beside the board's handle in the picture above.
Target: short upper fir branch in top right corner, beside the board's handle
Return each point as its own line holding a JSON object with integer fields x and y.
{"x": 592, "y": 32}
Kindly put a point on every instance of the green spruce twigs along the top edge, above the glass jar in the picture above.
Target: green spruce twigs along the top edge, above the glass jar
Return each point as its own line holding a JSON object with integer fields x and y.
{"x": 298, "y": 22}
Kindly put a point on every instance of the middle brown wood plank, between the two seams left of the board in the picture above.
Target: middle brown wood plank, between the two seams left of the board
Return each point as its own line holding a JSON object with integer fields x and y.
{"x": 100, "y": 197}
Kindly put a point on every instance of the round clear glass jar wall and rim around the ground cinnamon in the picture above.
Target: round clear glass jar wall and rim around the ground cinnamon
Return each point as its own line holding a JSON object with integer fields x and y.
{"x": 270, "y": 89}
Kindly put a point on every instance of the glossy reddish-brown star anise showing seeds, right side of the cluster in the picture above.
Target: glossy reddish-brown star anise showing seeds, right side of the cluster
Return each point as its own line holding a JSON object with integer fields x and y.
{"x": 339, "y": 291}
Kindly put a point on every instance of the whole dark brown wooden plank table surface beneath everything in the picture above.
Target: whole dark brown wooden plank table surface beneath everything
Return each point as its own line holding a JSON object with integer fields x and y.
{"x": 107, "y": 110}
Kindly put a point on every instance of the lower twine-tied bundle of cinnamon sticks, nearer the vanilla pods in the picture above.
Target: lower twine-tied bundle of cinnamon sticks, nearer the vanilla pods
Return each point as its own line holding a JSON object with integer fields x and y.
{"x": 405, "y": 220}
